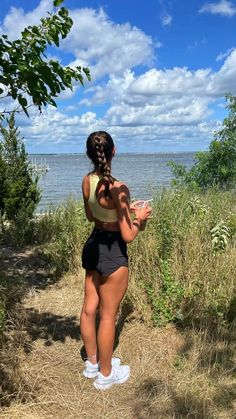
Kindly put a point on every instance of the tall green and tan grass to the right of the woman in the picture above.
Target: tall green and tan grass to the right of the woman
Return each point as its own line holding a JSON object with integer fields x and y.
{"x": 179, "y": 273}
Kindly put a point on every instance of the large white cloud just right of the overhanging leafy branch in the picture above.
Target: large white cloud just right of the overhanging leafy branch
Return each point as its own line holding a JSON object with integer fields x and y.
{"x": 107, "y": 48}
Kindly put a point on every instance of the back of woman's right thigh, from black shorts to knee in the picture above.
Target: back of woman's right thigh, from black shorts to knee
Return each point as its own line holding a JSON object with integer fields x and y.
{"x": 111, "y": 291}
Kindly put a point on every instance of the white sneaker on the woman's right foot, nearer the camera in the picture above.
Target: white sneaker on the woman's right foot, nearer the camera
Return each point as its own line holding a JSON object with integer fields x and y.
{"x": 119, "y": 374}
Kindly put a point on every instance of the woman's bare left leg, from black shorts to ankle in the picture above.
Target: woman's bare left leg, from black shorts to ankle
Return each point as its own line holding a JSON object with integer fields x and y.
{"x": 88, "y": 315}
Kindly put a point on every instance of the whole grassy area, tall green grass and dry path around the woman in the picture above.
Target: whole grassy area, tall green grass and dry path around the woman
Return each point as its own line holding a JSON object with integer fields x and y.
{"x": 176, "y": 327}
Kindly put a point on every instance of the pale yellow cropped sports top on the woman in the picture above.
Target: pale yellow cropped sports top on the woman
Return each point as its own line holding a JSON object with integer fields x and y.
{"x": 102, "y": 214}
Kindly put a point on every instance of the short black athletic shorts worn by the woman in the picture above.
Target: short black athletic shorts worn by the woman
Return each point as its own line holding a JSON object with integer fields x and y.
{"x": 104, "y": 252}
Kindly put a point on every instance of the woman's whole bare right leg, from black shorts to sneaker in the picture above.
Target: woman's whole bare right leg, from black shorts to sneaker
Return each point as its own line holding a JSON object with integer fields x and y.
{"x": 111, "y": 291}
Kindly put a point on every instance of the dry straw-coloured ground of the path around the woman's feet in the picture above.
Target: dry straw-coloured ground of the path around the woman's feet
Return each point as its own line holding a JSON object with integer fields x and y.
{"x": 51, "y": 361}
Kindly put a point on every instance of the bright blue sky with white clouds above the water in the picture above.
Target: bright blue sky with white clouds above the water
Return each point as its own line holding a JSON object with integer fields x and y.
{"x": 160, "y": 70}
